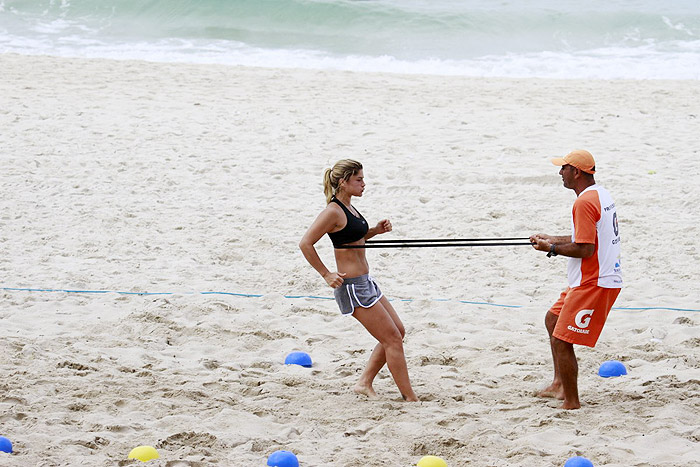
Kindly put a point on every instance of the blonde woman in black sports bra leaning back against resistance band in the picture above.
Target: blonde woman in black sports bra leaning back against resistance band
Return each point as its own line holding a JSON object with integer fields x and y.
{"x": 355, "y": 291}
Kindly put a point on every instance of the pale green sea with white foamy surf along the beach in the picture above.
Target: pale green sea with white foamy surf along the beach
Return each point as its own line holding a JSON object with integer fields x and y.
{"x": 612, "y": 39}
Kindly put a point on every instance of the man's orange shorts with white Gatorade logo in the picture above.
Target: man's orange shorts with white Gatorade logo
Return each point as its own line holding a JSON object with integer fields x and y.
{"x": 582, "y": 312}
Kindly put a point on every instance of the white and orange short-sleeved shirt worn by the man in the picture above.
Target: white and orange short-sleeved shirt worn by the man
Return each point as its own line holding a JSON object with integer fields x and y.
{"x": 594, "y": 220}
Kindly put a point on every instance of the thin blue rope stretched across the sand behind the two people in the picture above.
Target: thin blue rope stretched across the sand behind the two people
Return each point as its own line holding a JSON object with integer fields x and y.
{"x": 313, "y": 297}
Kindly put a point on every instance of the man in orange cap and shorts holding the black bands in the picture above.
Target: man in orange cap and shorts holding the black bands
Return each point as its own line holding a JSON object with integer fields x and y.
{"x": 594, "y": 273}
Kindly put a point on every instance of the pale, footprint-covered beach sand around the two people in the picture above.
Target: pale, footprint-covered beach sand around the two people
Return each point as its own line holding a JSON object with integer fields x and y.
{"x": 141, "y": 177}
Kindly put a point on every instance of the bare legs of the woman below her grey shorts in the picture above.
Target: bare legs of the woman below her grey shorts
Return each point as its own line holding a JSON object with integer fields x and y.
{"x": 384, "y": 324}
